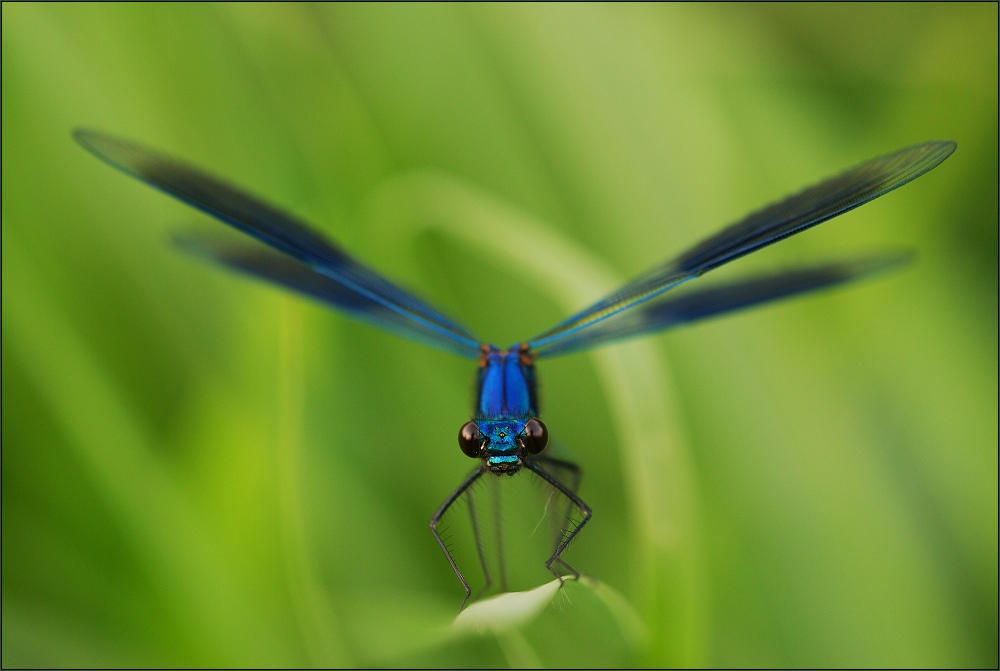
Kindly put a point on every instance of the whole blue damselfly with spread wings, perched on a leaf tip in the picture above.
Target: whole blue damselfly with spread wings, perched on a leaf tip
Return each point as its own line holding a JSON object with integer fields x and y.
{"x": 505, "y": 434}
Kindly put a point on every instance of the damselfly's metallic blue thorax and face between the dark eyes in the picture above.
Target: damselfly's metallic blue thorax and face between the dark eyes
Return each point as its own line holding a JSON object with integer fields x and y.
{"x": 505, "y": 402}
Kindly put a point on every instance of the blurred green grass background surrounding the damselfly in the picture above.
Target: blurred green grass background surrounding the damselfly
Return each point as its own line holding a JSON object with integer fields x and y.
{"x": 200, "y": 470}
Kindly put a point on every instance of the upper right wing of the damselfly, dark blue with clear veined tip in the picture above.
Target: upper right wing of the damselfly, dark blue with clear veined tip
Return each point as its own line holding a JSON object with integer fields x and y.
{"x": 769, "y": 225}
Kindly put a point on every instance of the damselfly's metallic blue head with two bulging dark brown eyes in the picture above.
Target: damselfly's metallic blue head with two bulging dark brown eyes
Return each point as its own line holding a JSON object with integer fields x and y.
{"x": 503, "y": 444}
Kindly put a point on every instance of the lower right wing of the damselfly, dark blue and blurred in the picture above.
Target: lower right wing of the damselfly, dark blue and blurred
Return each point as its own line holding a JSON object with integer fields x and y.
{"x": 663, "y": 313}
